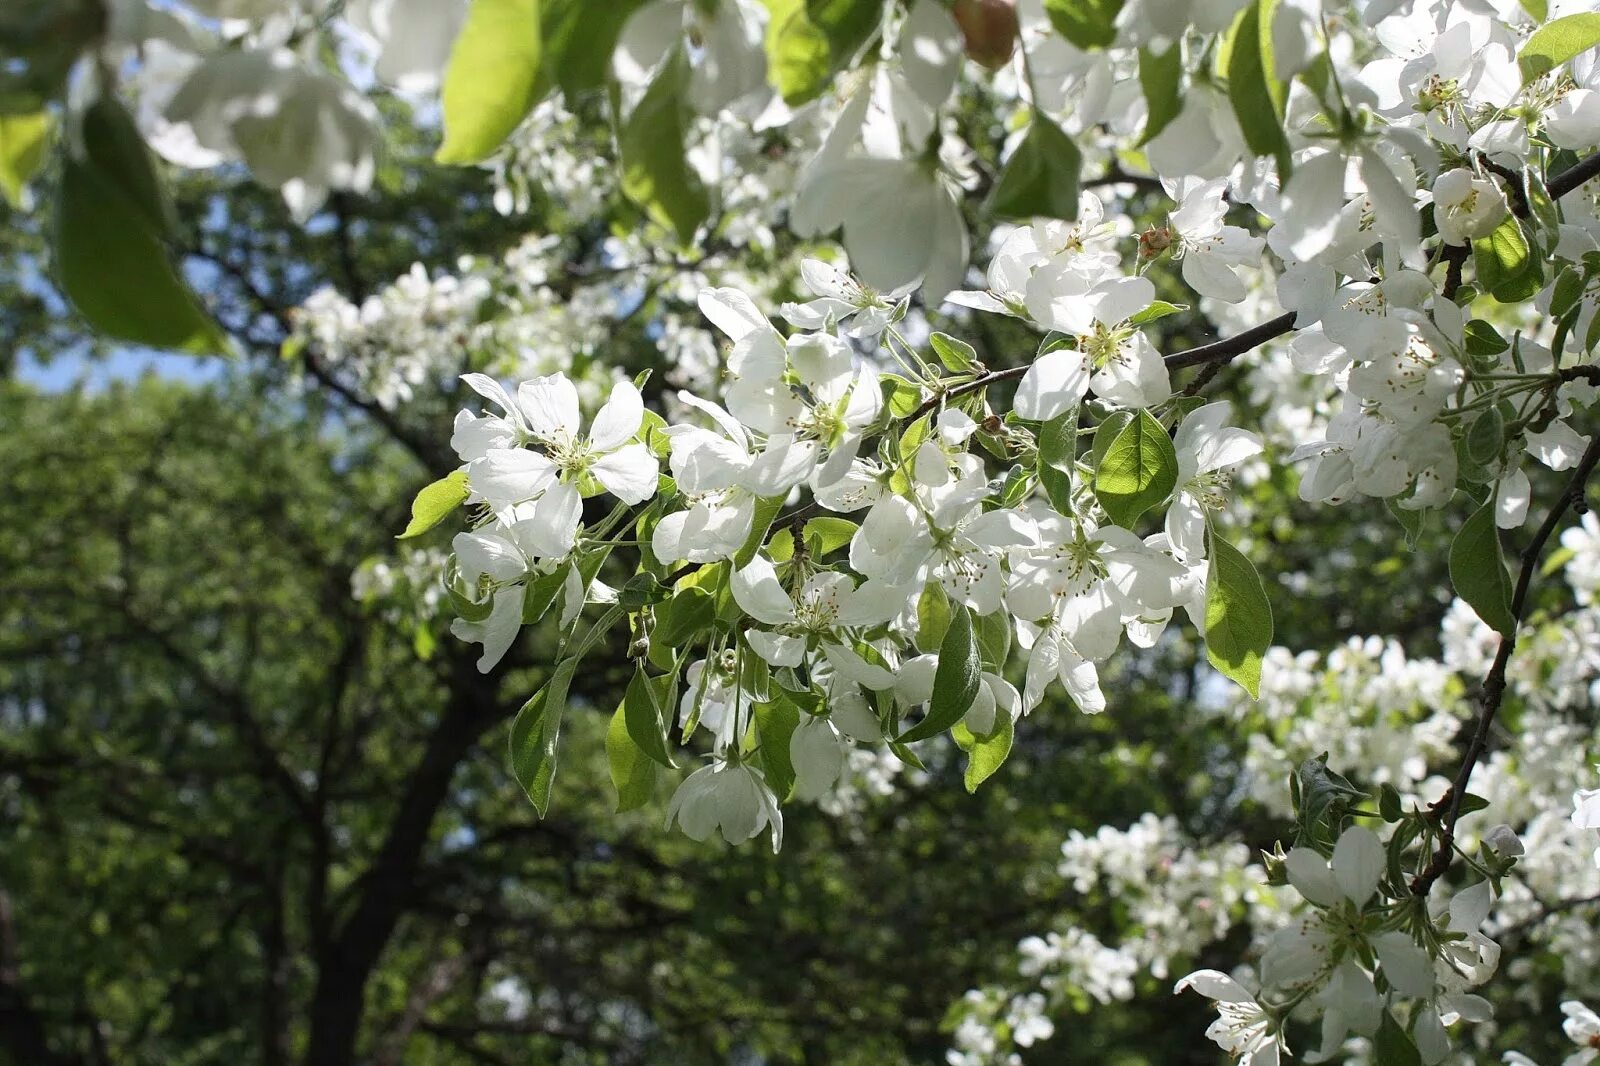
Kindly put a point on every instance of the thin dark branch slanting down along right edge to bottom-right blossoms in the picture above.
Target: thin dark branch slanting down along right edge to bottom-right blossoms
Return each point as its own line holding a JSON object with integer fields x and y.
{"x": 1449, "y": 806}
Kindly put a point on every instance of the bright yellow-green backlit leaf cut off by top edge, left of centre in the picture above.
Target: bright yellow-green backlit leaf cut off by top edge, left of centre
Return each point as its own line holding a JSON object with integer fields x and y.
{"x": 492, "y": 81}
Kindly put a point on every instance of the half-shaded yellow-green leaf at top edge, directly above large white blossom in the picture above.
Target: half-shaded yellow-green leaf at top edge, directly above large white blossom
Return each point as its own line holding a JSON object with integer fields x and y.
{"x": 810, "y": 41}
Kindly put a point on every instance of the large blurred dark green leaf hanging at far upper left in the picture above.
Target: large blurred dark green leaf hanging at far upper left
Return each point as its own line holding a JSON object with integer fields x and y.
{"x": 111, "y": 258}
